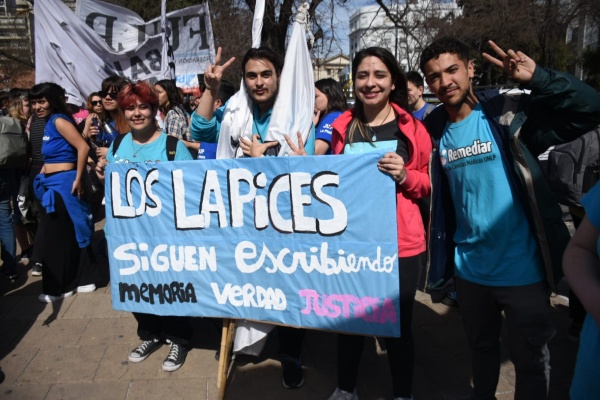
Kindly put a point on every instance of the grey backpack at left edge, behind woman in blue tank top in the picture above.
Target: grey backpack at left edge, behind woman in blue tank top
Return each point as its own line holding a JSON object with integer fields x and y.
{"x": 13, "y": 146}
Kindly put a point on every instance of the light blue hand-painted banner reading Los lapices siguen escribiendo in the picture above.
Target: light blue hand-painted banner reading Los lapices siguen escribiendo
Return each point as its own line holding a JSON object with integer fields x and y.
{"x": 302, "y": 241}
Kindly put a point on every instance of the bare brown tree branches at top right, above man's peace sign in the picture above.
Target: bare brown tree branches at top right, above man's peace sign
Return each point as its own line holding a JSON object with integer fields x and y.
{"x": 536, "y": 27}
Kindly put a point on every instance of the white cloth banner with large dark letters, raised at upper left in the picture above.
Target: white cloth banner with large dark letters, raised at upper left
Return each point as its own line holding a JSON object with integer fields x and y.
{"x": 77, "y": 57}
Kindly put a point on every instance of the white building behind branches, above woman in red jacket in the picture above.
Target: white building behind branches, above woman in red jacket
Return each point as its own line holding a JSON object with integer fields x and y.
{"x": 370, "y": 26}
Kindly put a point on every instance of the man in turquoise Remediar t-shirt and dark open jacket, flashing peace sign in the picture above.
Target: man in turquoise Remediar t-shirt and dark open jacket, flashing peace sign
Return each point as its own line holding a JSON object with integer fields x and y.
{"x": 495, "y": 227}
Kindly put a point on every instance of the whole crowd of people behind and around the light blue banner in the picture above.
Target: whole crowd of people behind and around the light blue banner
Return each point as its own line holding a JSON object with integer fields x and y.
{"x": 491, "y": 230}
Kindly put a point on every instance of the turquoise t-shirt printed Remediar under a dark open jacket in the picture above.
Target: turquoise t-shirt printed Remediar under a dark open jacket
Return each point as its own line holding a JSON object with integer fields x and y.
{"x": 494, "y": 243}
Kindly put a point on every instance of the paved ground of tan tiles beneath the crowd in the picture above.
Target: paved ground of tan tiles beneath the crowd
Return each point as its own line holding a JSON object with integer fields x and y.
{"x": 77, "y": 349}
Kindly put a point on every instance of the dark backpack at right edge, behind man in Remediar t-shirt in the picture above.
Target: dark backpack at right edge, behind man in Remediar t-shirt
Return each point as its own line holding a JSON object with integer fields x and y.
{"x": 574, "y": 167}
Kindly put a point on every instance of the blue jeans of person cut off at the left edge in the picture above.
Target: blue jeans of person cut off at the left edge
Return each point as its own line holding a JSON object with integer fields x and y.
{"x": 7, "y": 232}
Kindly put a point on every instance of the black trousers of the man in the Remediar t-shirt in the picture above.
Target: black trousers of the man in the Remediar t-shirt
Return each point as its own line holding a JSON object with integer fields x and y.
{"x": 527, "y": 313}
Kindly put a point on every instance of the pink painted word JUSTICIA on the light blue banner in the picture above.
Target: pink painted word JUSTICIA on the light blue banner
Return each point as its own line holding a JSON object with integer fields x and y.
{"x": 370, "y": 309}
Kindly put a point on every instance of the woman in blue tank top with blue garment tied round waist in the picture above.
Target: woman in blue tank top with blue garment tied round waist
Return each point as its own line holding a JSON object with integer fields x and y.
{"x": 66, "y": 218}
